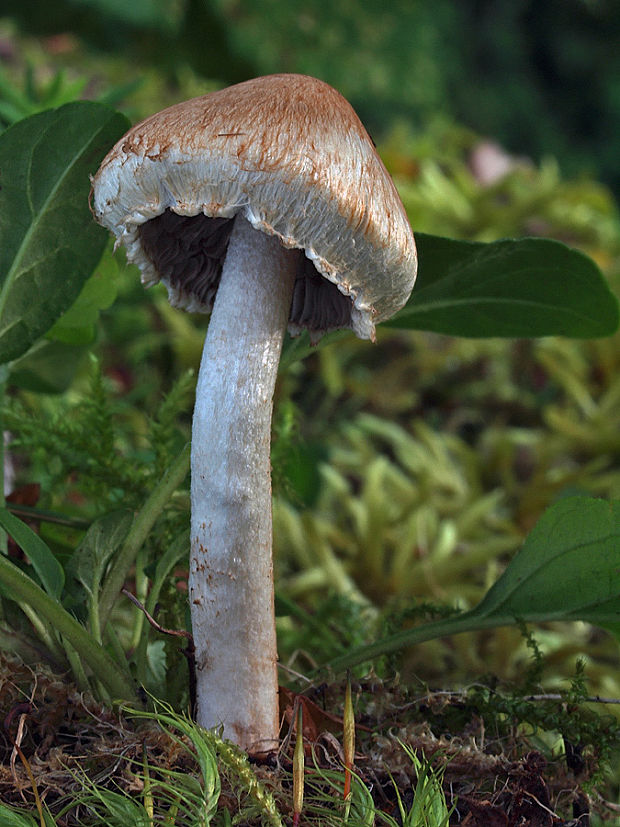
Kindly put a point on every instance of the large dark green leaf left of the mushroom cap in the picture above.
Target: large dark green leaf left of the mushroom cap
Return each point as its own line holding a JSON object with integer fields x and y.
{"x": 49, "y": 242}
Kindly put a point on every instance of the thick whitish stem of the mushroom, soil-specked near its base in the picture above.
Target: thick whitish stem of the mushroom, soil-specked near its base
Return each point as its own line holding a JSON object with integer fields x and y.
{"x": 231, "y": 570}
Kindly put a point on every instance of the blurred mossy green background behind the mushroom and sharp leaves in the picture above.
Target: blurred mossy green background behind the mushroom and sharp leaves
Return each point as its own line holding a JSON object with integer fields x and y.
{"x": 412, "y": 470}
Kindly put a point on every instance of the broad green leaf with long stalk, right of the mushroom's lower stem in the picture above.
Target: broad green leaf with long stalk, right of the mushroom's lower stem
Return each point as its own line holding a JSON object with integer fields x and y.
{"x": 567, "y": 569}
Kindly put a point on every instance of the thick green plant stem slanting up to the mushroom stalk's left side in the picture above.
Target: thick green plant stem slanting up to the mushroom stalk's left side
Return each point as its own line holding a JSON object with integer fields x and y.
{"x": 140, "y": 529}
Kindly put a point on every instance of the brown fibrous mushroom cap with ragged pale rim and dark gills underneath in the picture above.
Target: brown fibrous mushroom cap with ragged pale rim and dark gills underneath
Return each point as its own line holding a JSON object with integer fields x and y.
{"x": 290, "y": 155}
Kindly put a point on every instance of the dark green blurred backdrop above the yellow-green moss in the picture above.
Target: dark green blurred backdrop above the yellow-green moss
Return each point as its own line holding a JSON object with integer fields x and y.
{"x": 541, "y": 77}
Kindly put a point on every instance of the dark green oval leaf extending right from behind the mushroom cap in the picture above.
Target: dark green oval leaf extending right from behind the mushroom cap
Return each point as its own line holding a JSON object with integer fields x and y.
{"x": 515, "y": 288}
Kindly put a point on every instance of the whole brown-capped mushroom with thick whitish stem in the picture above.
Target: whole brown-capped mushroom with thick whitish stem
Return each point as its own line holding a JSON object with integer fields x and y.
{"x": 267, "y": 204}
